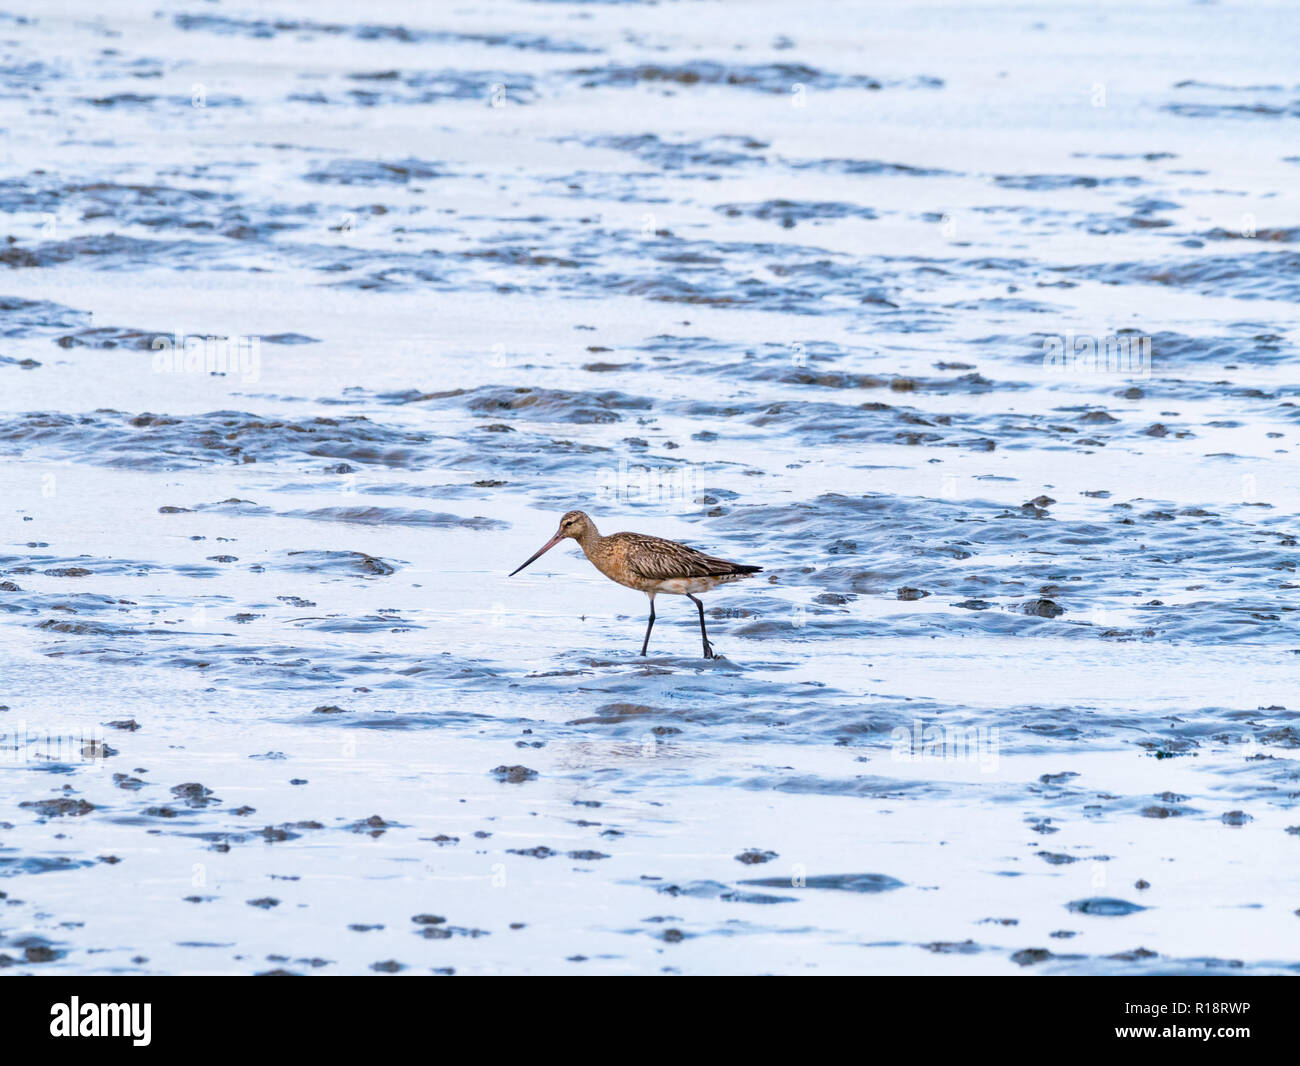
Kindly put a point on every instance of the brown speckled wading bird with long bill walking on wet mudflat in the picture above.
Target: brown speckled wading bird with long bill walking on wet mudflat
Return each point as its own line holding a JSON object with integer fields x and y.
{"x": 649, "y": 565}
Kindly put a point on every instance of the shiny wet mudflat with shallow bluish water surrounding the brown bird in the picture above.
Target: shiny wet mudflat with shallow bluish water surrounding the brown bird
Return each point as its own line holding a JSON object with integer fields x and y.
{"x": 1012, "y": 694}
